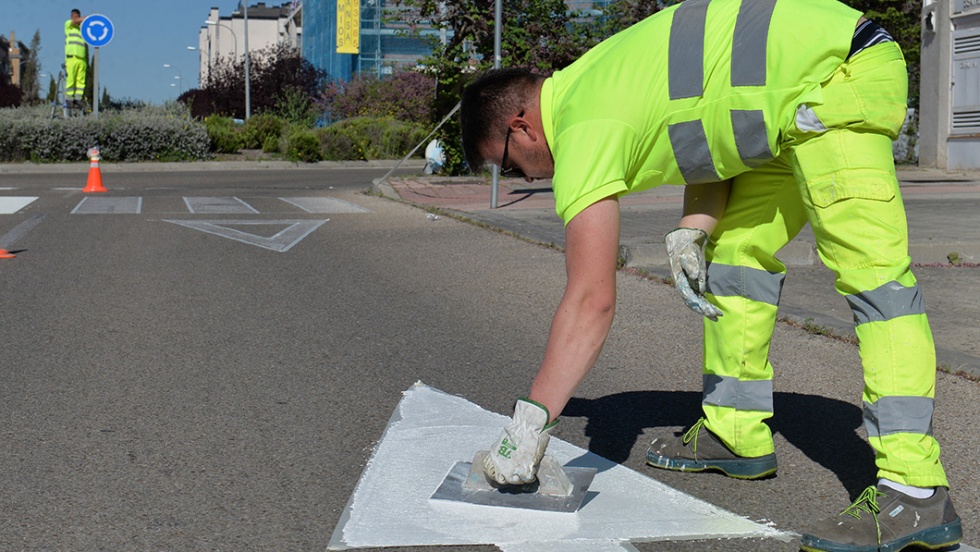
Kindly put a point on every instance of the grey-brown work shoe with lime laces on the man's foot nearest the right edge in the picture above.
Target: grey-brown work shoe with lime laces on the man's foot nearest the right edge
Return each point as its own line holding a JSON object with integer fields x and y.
{"x": 886, "y": 520}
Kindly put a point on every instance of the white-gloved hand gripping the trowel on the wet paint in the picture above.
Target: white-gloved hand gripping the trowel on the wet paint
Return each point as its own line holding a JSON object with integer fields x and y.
{"x": 515, "y": 457}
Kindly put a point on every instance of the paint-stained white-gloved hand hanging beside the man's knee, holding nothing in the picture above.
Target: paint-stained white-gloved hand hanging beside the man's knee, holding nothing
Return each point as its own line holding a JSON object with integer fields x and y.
{"x": 685, "y": 249}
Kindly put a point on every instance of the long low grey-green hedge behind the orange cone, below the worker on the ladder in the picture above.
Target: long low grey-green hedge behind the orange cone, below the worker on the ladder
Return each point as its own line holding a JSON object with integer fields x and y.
{"x": 147, "y": 134}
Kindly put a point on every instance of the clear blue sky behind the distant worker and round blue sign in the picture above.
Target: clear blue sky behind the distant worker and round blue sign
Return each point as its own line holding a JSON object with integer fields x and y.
{"x": 146, "y": 35}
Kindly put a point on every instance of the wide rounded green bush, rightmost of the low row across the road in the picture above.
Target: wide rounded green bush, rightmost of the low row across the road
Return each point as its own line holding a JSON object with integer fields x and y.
{"x": 366, "y": 138}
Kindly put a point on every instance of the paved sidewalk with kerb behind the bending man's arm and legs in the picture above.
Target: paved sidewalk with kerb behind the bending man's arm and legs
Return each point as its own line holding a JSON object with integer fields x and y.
{"x": 944, "y": 220}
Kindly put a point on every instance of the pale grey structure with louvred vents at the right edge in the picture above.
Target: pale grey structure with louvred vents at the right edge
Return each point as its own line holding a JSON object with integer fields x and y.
{"x": 949, "y": 97}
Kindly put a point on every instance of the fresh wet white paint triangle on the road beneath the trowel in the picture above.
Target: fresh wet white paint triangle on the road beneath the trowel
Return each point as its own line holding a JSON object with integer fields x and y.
{"x": 430, "y": 431}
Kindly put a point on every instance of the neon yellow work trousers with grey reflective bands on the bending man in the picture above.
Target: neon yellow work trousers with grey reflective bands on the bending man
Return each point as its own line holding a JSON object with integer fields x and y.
{"x": 839, "y": 176}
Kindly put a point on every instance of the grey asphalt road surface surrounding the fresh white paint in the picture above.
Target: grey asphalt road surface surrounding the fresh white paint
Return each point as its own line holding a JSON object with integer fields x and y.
{"x": 168, "y": 388}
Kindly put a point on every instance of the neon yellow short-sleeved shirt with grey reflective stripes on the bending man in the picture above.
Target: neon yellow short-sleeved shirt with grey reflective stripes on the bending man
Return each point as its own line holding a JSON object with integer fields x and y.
{"x": 698, "y": 92}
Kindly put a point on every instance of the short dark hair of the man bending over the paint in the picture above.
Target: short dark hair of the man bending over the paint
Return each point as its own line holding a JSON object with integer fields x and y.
{"x": 487, "y": 102}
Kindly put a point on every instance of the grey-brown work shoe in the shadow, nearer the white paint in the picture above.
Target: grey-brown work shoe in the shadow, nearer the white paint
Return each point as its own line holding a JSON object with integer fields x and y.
{"x": 700, "y": 450}
